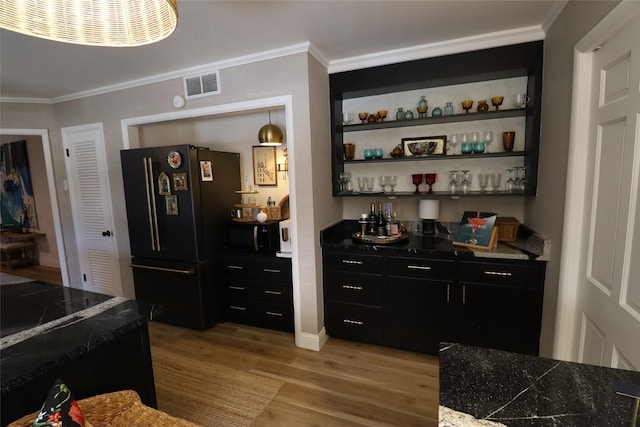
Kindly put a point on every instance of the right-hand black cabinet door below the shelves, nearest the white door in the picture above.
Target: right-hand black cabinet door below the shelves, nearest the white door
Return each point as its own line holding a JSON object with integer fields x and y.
{"x": 500, "y": 317}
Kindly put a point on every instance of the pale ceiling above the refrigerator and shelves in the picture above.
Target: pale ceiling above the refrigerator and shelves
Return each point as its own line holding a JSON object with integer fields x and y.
{"x": 217, "y": 32}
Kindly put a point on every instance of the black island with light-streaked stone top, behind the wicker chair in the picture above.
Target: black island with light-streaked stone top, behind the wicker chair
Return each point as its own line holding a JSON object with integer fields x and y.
{"x": 95, "y": 343}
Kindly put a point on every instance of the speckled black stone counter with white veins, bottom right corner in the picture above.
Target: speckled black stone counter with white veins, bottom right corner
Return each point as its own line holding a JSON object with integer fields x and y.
{"x": 501, "y": 388}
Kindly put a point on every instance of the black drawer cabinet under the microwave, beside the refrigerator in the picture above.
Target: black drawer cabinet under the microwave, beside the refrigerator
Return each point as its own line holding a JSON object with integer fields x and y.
{"x": 257, "y": 290}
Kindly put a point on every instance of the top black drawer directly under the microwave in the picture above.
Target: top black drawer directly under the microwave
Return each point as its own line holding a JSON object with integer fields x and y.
{"x": 269, "y": 269}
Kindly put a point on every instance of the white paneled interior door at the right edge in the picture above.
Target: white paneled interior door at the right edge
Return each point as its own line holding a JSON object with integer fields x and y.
{"x": 607, "y": 237}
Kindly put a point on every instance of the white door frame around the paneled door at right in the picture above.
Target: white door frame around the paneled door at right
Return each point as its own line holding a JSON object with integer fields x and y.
{"x": 567, "y": 321}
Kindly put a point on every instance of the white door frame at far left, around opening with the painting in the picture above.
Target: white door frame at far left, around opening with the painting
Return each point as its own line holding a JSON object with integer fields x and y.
{"x": 53, "y": 195}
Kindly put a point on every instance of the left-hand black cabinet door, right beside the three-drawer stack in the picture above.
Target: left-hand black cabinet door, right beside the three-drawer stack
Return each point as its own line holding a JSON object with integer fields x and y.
{"x": 413, "y": 313}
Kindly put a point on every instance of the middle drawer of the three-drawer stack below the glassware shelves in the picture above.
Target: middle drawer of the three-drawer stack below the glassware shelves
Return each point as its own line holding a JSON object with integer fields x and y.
{"x": 356, "y": 288}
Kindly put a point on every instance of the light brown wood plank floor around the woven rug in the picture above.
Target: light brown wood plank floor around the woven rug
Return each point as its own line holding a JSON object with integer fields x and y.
{"x": 344, "y": 384}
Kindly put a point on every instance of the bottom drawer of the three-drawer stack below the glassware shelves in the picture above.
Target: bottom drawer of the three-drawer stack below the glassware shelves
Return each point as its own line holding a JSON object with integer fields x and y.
{"x": 353, "y": 321}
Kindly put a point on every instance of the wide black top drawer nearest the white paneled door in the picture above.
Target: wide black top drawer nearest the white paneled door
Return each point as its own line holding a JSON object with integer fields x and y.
{"x": 497, "y": 273}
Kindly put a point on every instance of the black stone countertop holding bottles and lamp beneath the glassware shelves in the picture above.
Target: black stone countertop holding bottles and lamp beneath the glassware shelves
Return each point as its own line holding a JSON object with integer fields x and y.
{"x": 529, "y": 245}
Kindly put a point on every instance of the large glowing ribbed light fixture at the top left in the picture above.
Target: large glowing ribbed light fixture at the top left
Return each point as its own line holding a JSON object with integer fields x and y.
{"x": 115, "y": 23}
